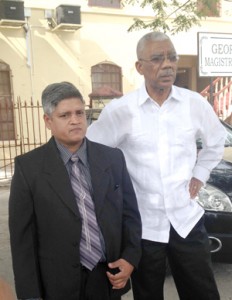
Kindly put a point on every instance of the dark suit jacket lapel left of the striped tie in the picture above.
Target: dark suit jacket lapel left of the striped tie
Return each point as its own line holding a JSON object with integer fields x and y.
{"x": 58, "y": 178}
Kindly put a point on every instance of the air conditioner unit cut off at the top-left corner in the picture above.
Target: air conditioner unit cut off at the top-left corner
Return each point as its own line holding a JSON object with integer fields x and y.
{"x": 12, "y": 13}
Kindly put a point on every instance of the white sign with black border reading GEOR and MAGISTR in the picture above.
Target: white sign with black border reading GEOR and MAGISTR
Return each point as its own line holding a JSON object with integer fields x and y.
{"x": 214, "y": 54}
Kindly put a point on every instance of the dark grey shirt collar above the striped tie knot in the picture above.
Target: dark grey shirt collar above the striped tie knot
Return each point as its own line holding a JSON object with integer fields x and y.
{"x": 66, "y": 154}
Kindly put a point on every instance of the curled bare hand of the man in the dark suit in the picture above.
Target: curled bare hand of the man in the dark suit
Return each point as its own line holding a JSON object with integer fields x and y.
{"x": 119, "y": 279}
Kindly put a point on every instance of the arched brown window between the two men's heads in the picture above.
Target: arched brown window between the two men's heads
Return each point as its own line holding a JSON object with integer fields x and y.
{"x": 106, "y": 74}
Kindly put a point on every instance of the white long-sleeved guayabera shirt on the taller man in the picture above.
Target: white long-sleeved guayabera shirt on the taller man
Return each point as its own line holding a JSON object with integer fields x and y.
{"x": 159, "y": 144}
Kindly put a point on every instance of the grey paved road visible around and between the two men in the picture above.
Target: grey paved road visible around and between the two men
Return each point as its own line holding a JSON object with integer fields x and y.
{"x": 223, "y": 272}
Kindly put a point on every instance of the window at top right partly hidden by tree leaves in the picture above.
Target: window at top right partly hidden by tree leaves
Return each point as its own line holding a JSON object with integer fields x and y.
{"x": 211, "y": 10}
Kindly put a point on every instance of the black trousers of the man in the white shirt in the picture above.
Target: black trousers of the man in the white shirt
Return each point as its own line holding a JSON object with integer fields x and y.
{"x": 190, "y": 263}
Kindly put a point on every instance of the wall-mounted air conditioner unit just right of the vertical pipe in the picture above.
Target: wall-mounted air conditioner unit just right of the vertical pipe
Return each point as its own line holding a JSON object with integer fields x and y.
{"x": 68, "y": 17}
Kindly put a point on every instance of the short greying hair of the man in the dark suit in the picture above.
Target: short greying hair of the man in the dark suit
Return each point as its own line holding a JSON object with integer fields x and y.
{"x": 56, "y": 92}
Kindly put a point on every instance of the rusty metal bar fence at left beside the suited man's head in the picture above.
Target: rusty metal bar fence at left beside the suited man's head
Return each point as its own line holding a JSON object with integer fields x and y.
{"x": 22, "y": 129}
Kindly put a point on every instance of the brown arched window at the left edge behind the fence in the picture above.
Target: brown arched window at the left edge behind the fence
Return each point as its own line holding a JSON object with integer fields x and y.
{"x": 7, "y": 131}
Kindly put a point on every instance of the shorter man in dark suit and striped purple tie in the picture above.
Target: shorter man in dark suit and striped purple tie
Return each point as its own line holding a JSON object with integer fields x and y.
{"x": 46, "y": 220}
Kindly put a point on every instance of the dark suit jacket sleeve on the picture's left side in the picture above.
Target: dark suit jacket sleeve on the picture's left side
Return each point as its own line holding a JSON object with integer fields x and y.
{"x": 22, "y": 236}
